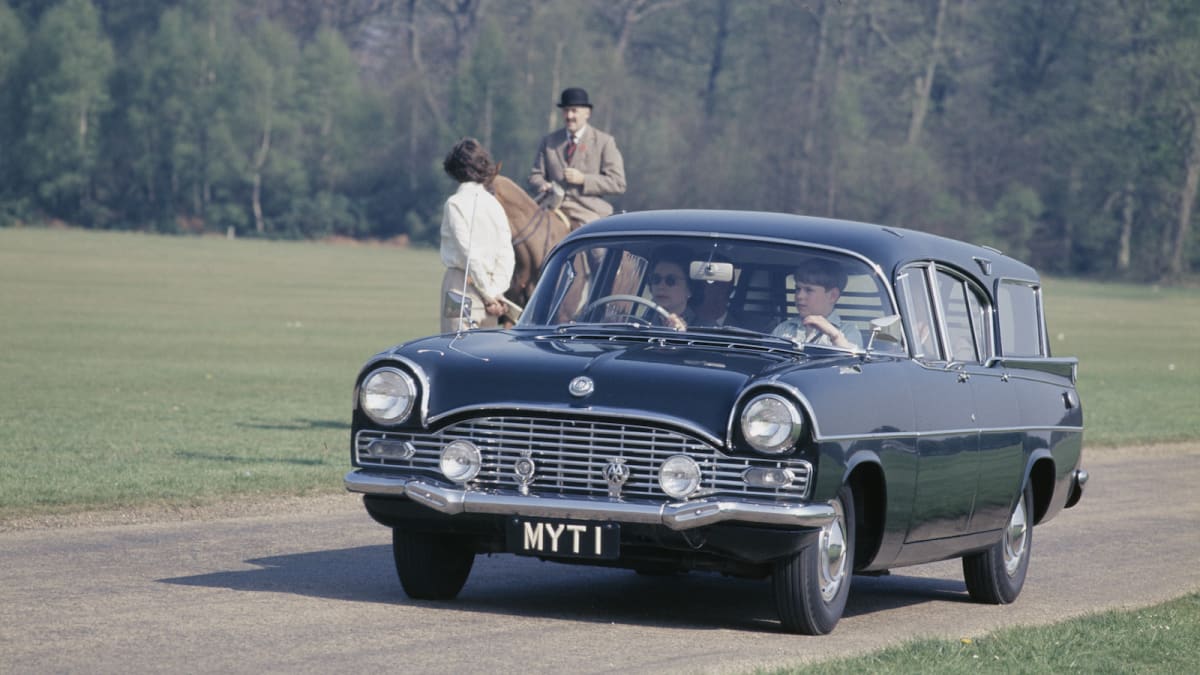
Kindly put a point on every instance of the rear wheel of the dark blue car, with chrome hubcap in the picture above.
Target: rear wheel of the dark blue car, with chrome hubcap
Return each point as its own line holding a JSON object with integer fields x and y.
{"x": 998, "y": 575}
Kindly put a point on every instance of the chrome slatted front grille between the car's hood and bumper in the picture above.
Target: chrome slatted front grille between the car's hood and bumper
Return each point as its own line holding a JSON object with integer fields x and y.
{"x": 572, "y": 456}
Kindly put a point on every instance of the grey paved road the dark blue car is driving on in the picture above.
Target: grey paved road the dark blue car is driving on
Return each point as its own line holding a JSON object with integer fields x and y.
{"x": 314, "y": 590}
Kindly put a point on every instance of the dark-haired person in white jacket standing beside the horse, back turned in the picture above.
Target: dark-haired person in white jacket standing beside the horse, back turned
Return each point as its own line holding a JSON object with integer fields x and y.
{"x": 477, "y": 243}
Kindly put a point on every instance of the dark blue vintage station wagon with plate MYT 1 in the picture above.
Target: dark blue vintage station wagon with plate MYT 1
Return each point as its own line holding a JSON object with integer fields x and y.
{"x": 920, "y": 417}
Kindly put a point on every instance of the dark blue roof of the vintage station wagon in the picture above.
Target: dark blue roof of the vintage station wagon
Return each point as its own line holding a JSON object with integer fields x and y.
{"x": 890, "y": 248}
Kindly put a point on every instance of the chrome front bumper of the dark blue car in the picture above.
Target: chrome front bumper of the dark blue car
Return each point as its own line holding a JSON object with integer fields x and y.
{"x": 680, "y": 516}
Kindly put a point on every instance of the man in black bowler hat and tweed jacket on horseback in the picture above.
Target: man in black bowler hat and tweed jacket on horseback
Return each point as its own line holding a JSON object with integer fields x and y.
{"x": 584, "y": 160}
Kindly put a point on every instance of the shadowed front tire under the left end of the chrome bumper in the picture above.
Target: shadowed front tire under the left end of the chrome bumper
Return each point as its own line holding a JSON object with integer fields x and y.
{"x": 431, "y": 568}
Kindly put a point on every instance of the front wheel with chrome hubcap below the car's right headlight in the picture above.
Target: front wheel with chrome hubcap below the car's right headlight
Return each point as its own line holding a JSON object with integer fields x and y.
{"x": 812, "y": 587}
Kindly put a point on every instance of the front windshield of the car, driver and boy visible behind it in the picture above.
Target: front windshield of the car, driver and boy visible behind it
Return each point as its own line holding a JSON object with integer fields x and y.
{"x": 692, "y": 284}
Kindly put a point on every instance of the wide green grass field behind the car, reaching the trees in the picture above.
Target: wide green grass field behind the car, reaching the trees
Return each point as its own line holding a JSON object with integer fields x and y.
{"x": 141, "y": 371}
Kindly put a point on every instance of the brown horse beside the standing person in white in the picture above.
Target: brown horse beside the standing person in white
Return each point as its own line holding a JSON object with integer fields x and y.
{"x": 536, "y": 230}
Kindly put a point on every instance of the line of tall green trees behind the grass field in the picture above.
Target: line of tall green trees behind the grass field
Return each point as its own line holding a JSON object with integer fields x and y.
{"x": 1066, "y": 133}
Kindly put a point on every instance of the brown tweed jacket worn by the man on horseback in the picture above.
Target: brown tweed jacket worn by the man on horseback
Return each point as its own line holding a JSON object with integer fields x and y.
{"x": 597, "y": 157}
